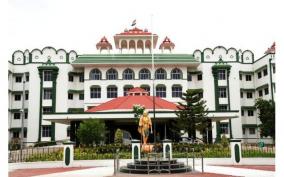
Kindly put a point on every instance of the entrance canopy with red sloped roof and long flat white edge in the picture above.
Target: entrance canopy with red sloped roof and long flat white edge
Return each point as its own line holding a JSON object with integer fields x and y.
{"x": 121, "y": 109}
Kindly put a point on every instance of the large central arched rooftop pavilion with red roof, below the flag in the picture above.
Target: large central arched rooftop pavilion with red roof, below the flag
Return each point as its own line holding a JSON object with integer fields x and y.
{"x": 135, "y": 41}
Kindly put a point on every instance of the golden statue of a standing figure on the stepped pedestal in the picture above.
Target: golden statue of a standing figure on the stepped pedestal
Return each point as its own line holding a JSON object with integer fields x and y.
{"x": 145, "y": 124}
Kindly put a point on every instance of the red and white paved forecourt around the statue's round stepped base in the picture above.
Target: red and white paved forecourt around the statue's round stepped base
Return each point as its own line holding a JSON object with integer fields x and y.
{"x": 103, "y": 168}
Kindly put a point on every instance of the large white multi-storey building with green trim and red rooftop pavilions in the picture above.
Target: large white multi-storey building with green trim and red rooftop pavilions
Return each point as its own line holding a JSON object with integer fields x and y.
{"x": 60, "y": 85}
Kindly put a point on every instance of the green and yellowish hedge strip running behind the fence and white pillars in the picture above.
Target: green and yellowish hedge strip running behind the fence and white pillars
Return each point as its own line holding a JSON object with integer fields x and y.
{"x": 179, "y": 151}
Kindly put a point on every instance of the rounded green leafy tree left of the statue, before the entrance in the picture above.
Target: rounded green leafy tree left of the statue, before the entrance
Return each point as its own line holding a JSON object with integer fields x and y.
{"x": 91, "y": 131}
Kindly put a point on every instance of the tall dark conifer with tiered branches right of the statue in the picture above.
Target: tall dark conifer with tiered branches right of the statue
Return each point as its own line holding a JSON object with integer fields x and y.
{"x": 192, "y": 113}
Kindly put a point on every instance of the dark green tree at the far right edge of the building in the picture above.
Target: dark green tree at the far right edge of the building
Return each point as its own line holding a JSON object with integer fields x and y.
{"x": 267, "y": 117}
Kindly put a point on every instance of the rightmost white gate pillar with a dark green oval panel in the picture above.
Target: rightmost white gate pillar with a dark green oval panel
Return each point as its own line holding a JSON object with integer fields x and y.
{"x": 236, "y": 151}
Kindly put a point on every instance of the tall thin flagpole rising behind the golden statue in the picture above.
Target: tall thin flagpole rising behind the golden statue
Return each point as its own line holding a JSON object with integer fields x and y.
{"x": 153, "y": 79}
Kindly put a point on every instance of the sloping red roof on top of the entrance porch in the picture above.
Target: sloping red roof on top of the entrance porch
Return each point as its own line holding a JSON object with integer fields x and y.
{"x": 127, "y": 103}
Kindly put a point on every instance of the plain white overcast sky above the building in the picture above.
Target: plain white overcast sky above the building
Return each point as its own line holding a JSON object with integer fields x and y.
{"x": 190, "y": 25}
